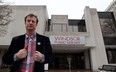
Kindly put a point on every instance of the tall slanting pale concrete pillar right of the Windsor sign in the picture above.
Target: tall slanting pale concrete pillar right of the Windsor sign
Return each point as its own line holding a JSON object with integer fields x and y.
{"x": 97, "y": 53}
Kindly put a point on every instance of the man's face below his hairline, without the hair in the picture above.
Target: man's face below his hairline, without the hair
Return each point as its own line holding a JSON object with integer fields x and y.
{"x": 30, "y": 23}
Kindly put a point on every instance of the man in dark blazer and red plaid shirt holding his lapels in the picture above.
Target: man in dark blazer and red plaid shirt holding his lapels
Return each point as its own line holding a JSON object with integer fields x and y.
{"x": 29, "y": 52}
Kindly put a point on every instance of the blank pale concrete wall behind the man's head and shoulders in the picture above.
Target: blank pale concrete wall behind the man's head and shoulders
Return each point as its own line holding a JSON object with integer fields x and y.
{"x": 17, "y": 26}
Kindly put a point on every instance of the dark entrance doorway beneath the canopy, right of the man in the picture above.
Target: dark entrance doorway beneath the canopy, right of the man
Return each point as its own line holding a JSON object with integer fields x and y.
{"x": 61, "y": 61}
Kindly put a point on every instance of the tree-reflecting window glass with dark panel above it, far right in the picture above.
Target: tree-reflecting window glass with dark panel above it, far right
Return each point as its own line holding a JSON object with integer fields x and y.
{"x": 107, "y": 22}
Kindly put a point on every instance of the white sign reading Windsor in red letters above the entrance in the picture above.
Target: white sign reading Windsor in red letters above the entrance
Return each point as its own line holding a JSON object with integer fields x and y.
{"x": 67, "y": 39}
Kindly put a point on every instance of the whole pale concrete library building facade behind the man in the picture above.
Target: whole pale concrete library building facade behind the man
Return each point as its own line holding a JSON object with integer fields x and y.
{"x": 85, "y": 43}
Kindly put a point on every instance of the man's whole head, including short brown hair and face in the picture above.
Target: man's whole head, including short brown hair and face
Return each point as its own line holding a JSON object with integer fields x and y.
{"x": 31, "y": 22}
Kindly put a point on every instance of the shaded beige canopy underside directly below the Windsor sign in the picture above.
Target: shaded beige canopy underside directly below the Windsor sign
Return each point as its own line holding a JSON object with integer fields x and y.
{"x": 68, "y": 48}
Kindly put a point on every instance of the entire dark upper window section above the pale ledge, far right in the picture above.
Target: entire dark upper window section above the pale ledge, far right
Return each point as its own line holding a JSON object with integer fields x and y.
{"x": 108, "y": 27}
